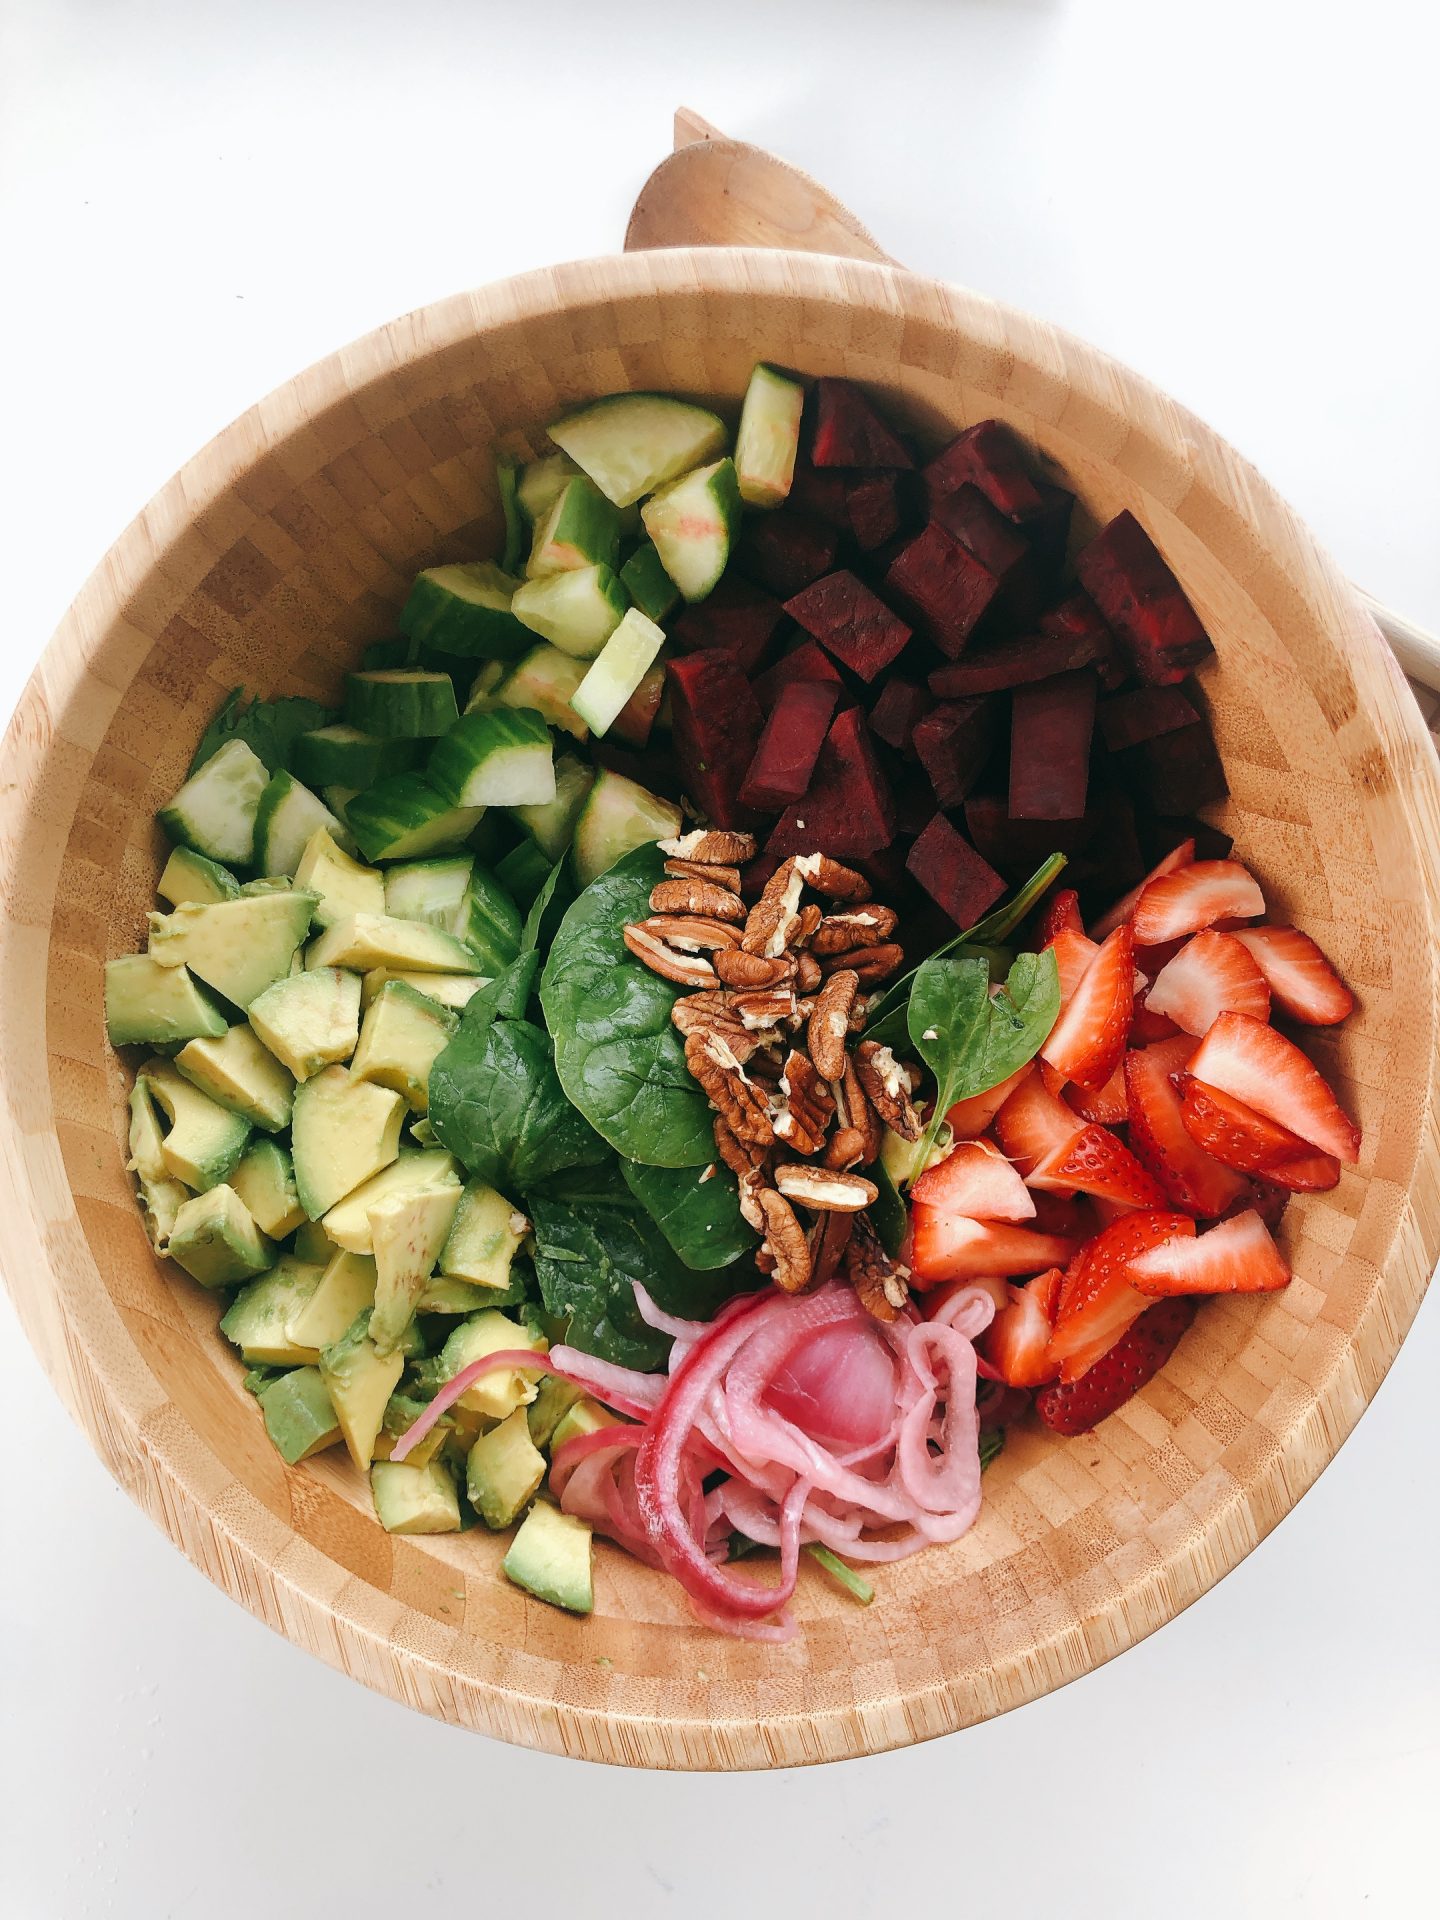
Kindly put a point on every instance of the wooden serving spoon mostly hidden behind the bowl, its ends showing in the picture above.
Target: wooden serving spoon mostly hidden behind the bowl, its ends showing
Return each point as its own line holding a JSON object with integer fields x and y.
{"x": 715, "y": 191}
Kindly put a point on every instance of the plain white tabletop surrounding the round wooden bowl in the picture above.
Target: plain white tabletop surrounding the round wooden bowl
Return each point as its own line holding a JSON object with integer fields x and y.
{"x": 197, "y": 201}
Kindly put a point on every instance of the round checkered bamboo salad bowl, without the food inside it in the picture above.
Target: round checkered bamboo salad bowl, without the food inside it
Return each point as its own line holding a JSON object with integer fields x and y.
{"x": 289, "y": 544}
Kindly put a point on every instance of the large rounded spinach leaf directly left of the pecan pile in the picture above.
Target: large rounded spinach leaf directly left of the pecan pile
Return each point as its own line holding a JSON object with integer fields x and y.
{"x": 615, "y": 1049}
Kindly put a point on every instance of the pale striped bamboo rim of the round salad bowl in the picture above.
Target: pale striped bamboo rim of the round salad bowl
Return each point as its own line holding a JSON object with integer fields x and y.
{"x": 107, "y": 1378}
